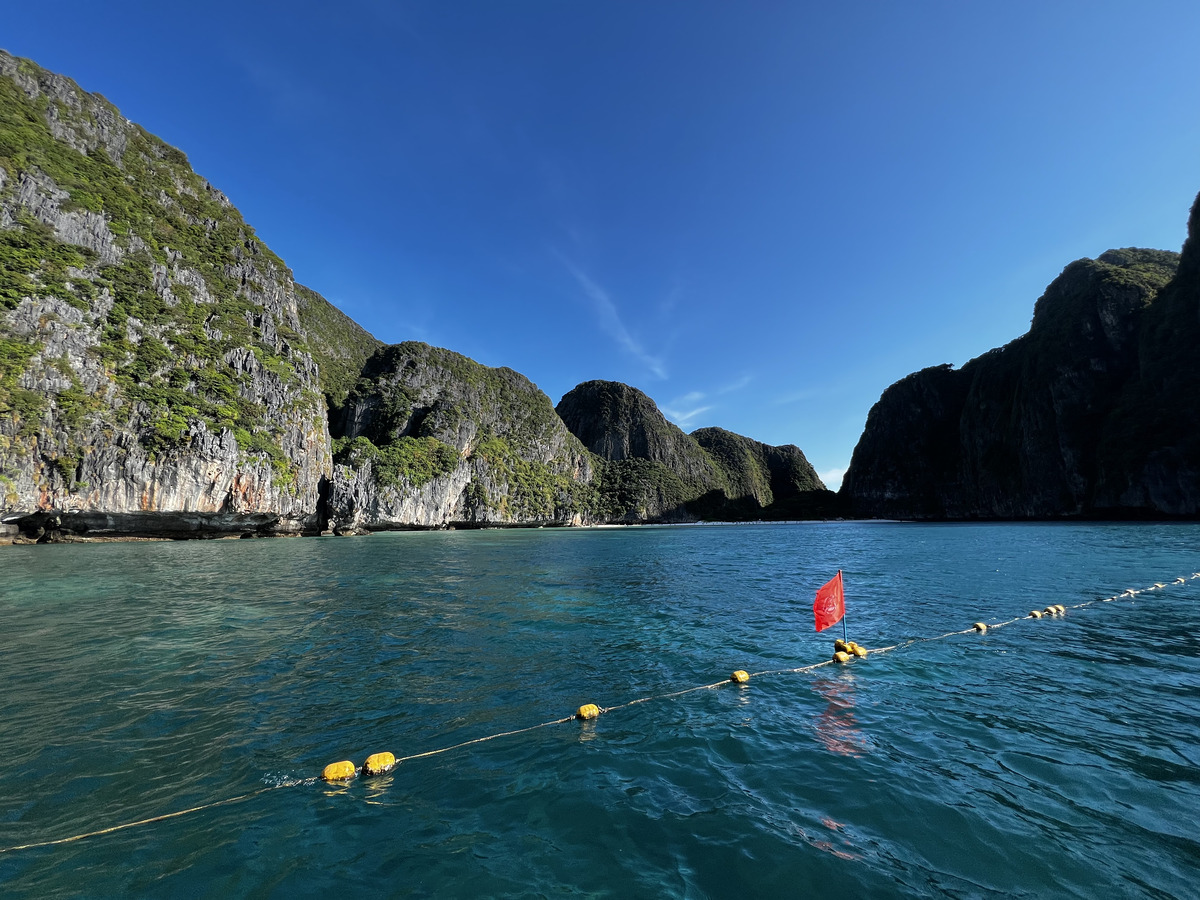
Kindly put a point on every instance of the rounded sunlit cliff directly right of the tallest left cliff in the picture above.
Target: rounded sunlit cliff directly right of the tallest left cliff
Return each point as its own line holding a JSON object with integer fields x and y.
{"x": 429, "y": 437}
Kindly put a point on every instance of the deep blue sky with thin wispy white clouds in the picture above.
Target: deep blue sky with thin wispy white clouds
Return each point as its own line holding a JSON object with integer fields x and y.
{"x": 761, "y": 214}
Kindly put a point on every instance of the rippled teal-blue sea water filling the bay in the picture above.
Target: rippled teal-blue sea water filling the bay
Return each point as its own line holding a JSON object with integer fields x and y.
{"x": 1055, "y": 758}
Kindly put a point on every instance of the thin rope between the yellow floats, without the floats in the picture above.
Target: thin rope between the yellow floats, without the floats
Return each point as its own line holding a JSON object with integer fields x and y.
{"x": 1129, "y": 595}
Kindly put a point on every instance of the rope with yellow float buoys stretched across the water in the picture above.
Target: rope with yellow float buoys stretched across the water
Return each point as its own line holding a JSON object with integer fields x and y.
{"x": 383, "y": 763}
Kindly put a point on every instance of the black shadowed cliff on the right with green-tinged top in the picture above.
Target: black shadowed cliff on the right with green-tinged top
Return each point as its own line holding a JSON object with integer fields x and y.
{"x": 1046, "y": 427}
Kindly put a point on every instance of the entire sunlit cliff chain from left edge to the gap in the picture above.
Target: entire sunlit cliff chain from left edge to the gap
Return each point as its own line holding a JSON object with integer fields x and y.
{"x": 161, "y": 374}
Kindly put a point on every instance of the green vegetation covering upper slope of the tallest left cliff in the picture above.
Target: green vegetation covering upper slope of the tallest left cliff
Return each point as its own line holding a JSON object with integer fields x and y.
{"x": 165, "y": 345}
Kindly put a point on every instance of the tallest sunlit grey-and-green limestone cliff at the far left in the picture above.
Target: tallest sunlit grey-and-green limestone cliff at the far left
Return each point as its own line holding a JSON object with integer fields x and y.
{"x": 153, "y": 370}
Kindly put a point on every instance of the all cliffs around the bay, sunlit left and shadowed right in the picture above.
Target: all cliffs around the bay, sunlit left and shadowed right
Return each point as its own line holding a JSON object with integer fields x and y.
{"x": 161, "y": 375}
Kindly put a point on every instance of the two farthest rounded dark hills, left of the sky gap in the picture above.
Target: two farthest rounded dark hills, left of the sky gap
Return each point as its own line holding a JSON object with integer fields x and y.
{"x": 652, "y": 471}
